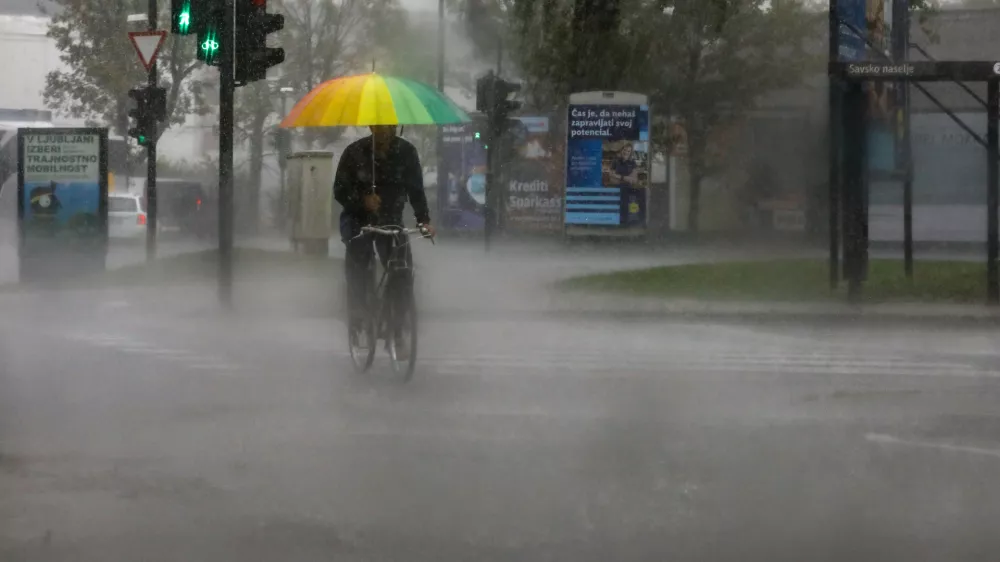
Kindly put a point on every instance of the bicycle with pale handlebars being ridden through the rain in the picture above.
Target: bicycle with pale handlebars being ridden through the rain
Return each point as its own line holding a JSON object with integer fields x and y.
{"x": 383, "y": 318}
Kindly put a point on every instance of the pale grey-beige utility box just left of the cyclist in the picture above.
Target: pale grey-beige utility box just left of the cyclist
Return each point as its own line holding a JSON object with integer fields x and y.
{"x": 310, "y": 200}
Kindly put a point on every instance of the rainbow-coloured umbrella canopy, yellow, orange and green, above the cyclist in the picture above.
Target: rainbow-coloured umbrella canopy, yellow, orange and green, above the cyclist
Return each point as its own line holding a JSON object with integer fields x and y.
{"x": 373, "y": 99}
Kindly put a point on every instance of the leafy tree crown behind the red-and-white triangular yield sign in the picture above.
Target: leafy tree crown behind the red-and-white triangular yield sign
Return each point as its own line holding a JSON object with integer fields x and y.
{"x": 100, "y": 65}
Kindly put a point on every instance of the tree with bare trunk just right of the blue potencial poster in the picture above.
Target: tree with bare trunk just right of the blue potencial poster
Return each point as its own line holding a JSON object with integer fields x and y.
{"x": 721, "y": 59}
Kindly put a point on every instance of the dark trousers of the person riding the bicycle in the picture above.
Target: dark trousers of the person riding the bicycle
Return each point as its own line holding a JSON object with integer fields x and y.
{"x": 361, "y": 273}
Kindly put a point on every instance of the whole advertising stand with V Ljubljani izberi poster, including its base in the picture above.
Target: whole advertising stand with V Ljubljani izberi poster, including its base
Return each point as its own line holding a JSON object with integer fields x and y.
{"x": 62, "y": 201}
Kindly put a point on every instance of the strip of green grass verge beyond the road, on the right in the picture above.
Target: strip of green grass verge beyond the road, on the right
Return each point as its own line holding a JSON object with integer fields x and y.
{"x": 795, "y": 280}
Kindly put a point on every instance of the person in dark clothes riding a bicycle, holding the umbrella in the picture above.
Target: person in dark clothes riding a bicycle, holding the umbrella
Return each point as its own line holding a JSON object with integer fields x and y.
{"x": 375, "y": 177}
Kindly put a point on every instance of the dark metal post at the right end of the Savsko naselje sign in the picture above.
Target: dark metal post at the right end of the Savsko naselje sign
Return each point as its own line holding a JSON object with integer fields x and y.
{"x": 992, "y": 196}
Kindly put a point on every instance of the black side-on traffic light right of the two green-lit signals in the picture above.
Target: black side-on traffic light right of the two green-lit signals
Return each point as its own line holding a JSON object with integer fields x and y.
{"x": 253, "y": 56}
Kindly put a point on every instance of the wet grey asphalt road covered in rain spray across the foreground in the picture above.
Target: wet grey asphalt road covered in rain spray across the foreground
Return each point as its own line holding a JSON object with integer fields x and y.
{"x": 170, "y": 432}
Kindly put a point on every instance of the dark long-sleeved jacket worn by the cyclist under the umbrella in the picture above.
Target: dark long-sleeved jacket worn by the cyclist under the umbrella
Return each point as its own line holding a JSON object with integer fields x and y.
{"x": 398, "y": 177}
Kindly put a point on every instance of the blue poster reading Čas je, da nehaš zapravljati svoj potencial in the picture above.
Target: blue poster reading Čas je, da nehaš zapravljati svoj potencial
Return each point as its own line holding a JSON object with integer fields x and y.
{"x": 607, "y": 165}
